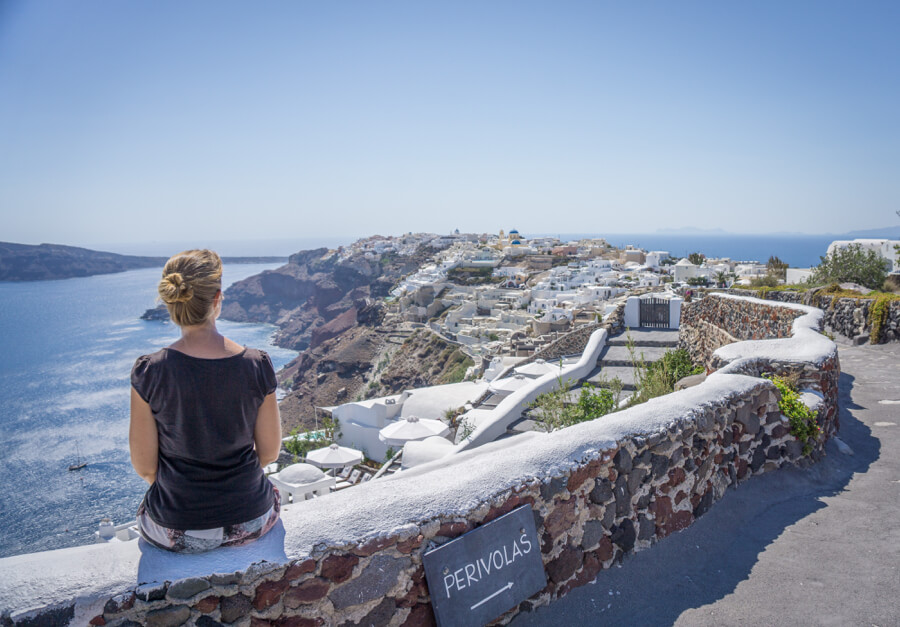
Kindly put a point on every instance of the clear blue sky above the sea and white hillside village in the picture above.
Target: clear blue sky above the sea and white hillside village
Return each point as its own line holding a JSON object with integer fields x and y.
{"x": 138, "y": 121}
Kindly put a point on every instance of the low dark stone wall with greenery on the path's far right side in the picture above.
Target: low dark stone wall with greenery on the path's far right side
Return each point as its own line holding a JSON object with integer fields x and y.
{"x": 849, "y": 317}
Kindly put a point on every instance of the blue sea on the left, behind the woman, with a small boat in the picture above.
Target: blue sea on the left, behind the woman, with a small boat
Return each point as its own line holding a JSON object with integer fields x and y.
{"x": 67, "y": 349}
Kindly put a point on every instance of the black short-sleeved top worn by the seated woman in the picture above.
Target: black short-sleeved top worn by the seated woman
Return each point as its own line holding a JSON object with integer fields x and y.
{"x": 205, "y": 409}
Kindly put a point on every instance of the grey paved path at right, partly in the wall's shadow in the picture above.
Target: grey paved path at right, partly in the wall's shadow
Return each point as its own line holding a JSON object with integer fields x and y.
{"x": 793, "y": 547}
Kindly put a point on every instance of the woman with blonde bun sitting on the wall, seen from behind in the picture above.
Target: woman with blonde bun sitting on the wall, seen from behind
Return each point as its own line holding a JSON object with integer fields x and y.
{"x": 204, "y": 422}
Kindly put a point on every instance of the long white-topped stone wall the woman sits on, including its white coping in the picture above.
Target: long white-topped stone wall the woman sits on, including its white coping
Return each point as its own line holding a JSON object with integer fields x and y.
{"x": 599, "y": 491}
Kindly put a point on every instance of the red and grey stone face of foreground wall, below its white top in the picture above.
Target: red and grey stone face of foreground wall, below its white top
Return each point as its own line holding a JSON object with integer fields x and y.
{"x": 621, "y": 501}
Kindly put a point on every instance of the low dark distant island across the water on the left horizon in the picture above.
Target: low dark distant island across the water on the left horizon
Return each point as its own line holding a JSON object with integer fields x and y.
{"x": 44, "y": 262}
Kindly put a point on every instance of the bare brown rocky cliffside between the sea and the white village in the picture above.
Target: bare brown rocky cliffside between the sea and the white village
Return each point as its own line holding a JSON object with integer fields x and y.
{"x": 329, "y": 307}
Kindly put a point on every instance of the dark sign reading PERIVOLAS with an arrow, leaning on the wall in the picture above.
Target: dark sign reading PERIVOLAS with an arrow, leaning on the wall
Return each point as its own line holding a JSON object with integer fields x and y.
{"x": 478, "y": 576}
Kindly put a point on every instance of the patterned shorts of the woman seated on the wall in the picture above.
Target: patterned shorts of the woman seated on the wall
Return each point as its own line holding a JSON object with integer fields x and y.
{"x": 200, "y": 540}
